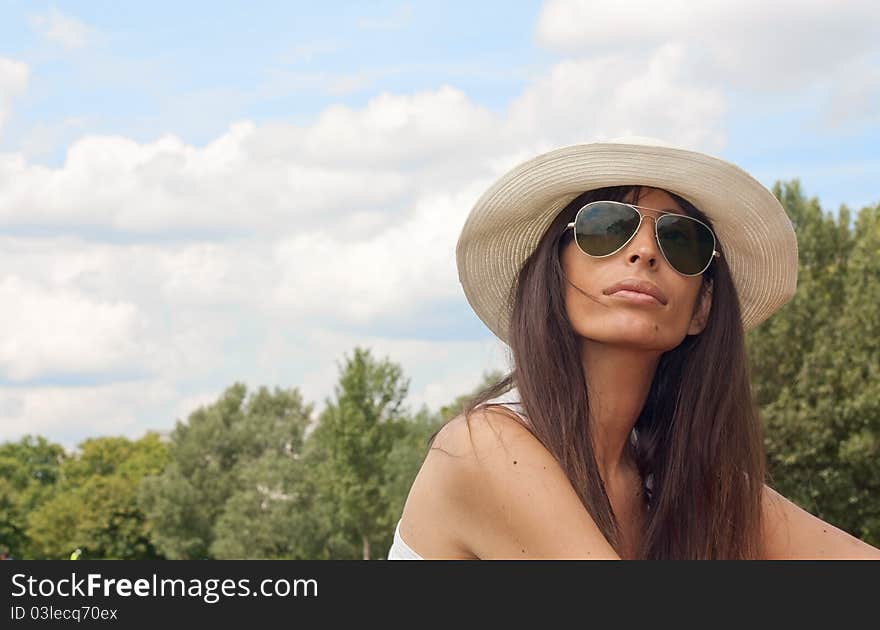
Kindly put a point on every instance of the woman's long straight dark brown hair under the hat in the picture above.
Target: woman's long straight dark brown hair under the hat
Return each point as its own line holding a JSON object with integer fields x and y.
{"x": 699, "y": 432}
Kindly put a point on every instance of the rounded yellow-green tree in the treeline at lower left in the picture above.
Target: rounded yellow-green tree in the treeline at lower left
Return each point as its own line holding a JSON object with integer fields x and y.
{"x": 93, "y": 505}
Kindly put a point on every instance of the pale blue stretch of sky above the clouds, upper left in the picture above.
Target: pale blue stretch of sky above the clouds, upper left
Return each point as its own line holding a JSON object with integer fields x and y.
{"x": 194, "y": 67}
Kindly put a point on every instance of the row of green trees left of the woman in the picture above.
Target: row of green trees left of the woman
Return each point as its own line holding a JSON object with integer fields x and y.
{"x": 244, "y": 477}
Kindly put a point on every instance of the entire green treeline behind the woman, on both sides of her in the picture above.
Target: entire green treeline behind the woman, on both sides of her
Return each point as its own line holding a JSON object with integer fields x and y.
{"x": 249, "y": 477}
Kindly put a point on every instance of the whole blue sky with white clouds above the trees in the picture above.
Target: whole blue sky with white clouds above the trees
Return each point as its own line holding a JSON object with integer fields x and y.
{"x": 194, "y": 194}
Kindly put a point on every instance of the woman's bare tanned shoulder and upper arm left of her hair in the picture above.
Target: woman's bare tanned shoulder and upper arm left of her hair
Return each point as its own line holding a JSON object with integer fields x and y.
{"x": 504, "y": 493}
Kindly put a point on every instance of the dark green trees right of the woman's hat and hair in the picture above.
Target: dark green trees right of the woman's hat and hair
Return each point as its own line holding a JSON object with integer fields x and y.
{"x": 816, "y": 365}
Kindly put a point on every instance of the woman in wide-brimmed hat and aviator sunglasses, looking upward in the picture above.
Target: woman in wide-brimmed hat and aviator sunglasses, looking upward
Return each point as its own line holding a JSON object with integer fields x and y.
{"x": 623, "y": 276}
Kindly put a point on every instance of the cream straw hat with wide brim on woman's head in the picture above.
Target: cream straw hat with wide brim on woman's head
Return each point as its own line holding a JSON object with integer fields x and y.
{"x": 756, "y": 236}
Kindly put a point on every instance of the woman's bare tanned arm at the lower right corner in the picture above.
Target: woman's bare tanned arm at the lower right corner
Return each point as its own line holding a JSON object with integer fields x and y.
{"x": 792, "y": 533}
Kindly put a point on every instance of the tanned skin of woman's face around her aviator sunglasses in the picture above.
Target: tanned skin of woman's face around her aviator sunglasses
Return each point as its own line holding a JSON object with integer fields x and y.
{"x": 618, "y": 319}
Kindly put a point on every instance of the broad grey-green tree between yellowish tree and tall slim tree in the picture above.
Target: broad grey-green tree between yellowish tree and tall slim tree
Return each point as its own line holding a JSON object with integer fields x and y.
{"x": 211, "y": 456}
